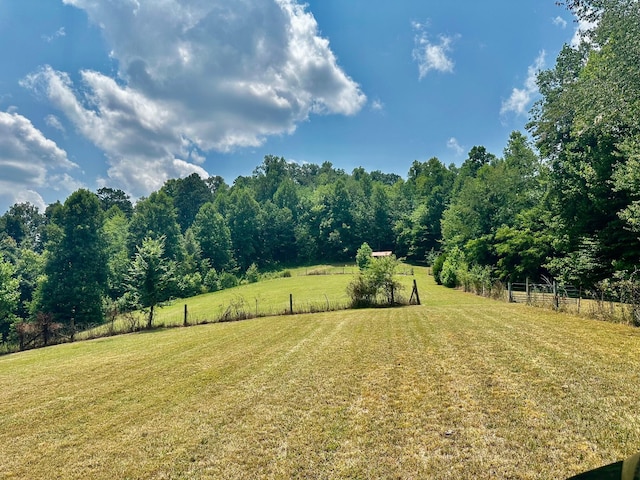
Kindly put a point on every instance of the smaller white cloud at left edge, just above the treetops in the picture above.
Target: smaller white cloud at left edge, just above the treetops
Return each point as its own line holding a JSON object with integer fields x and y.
{"x": 28, "y": 159}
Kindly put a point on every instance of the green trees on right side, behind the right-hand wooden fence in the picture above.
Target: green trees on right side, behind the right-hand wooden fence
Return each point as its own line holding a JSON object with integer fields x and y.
{"x": 572, "y": 212}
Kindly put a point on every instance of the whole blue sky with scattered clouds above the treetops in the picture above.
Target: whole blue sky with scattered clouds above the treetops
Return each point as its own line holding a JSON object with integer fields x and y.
{"x": 129, "y": 93}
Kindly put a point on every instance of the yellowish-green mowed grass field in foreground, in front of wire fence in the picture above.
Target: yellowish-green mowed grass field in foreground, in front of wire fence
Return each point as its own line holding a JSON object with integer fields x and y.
{"x": 460, "y": 387}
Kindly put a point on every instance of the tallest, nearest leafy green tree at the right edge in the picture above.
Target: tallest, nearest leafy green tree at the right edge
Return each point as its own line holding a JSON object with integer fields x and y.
{"x": 586, "y": 125}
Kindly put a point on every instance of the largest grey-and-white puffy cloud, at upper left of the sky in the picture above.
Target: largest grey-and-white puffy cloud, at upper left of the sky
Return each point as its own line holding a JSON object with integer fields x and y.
{"x": 198, "y": 76}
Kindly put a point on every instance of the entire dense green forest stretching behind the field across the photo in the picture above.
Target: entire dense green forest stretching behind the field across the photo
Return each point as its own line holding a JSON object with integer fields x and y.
{"x": 562, "y": 203}
